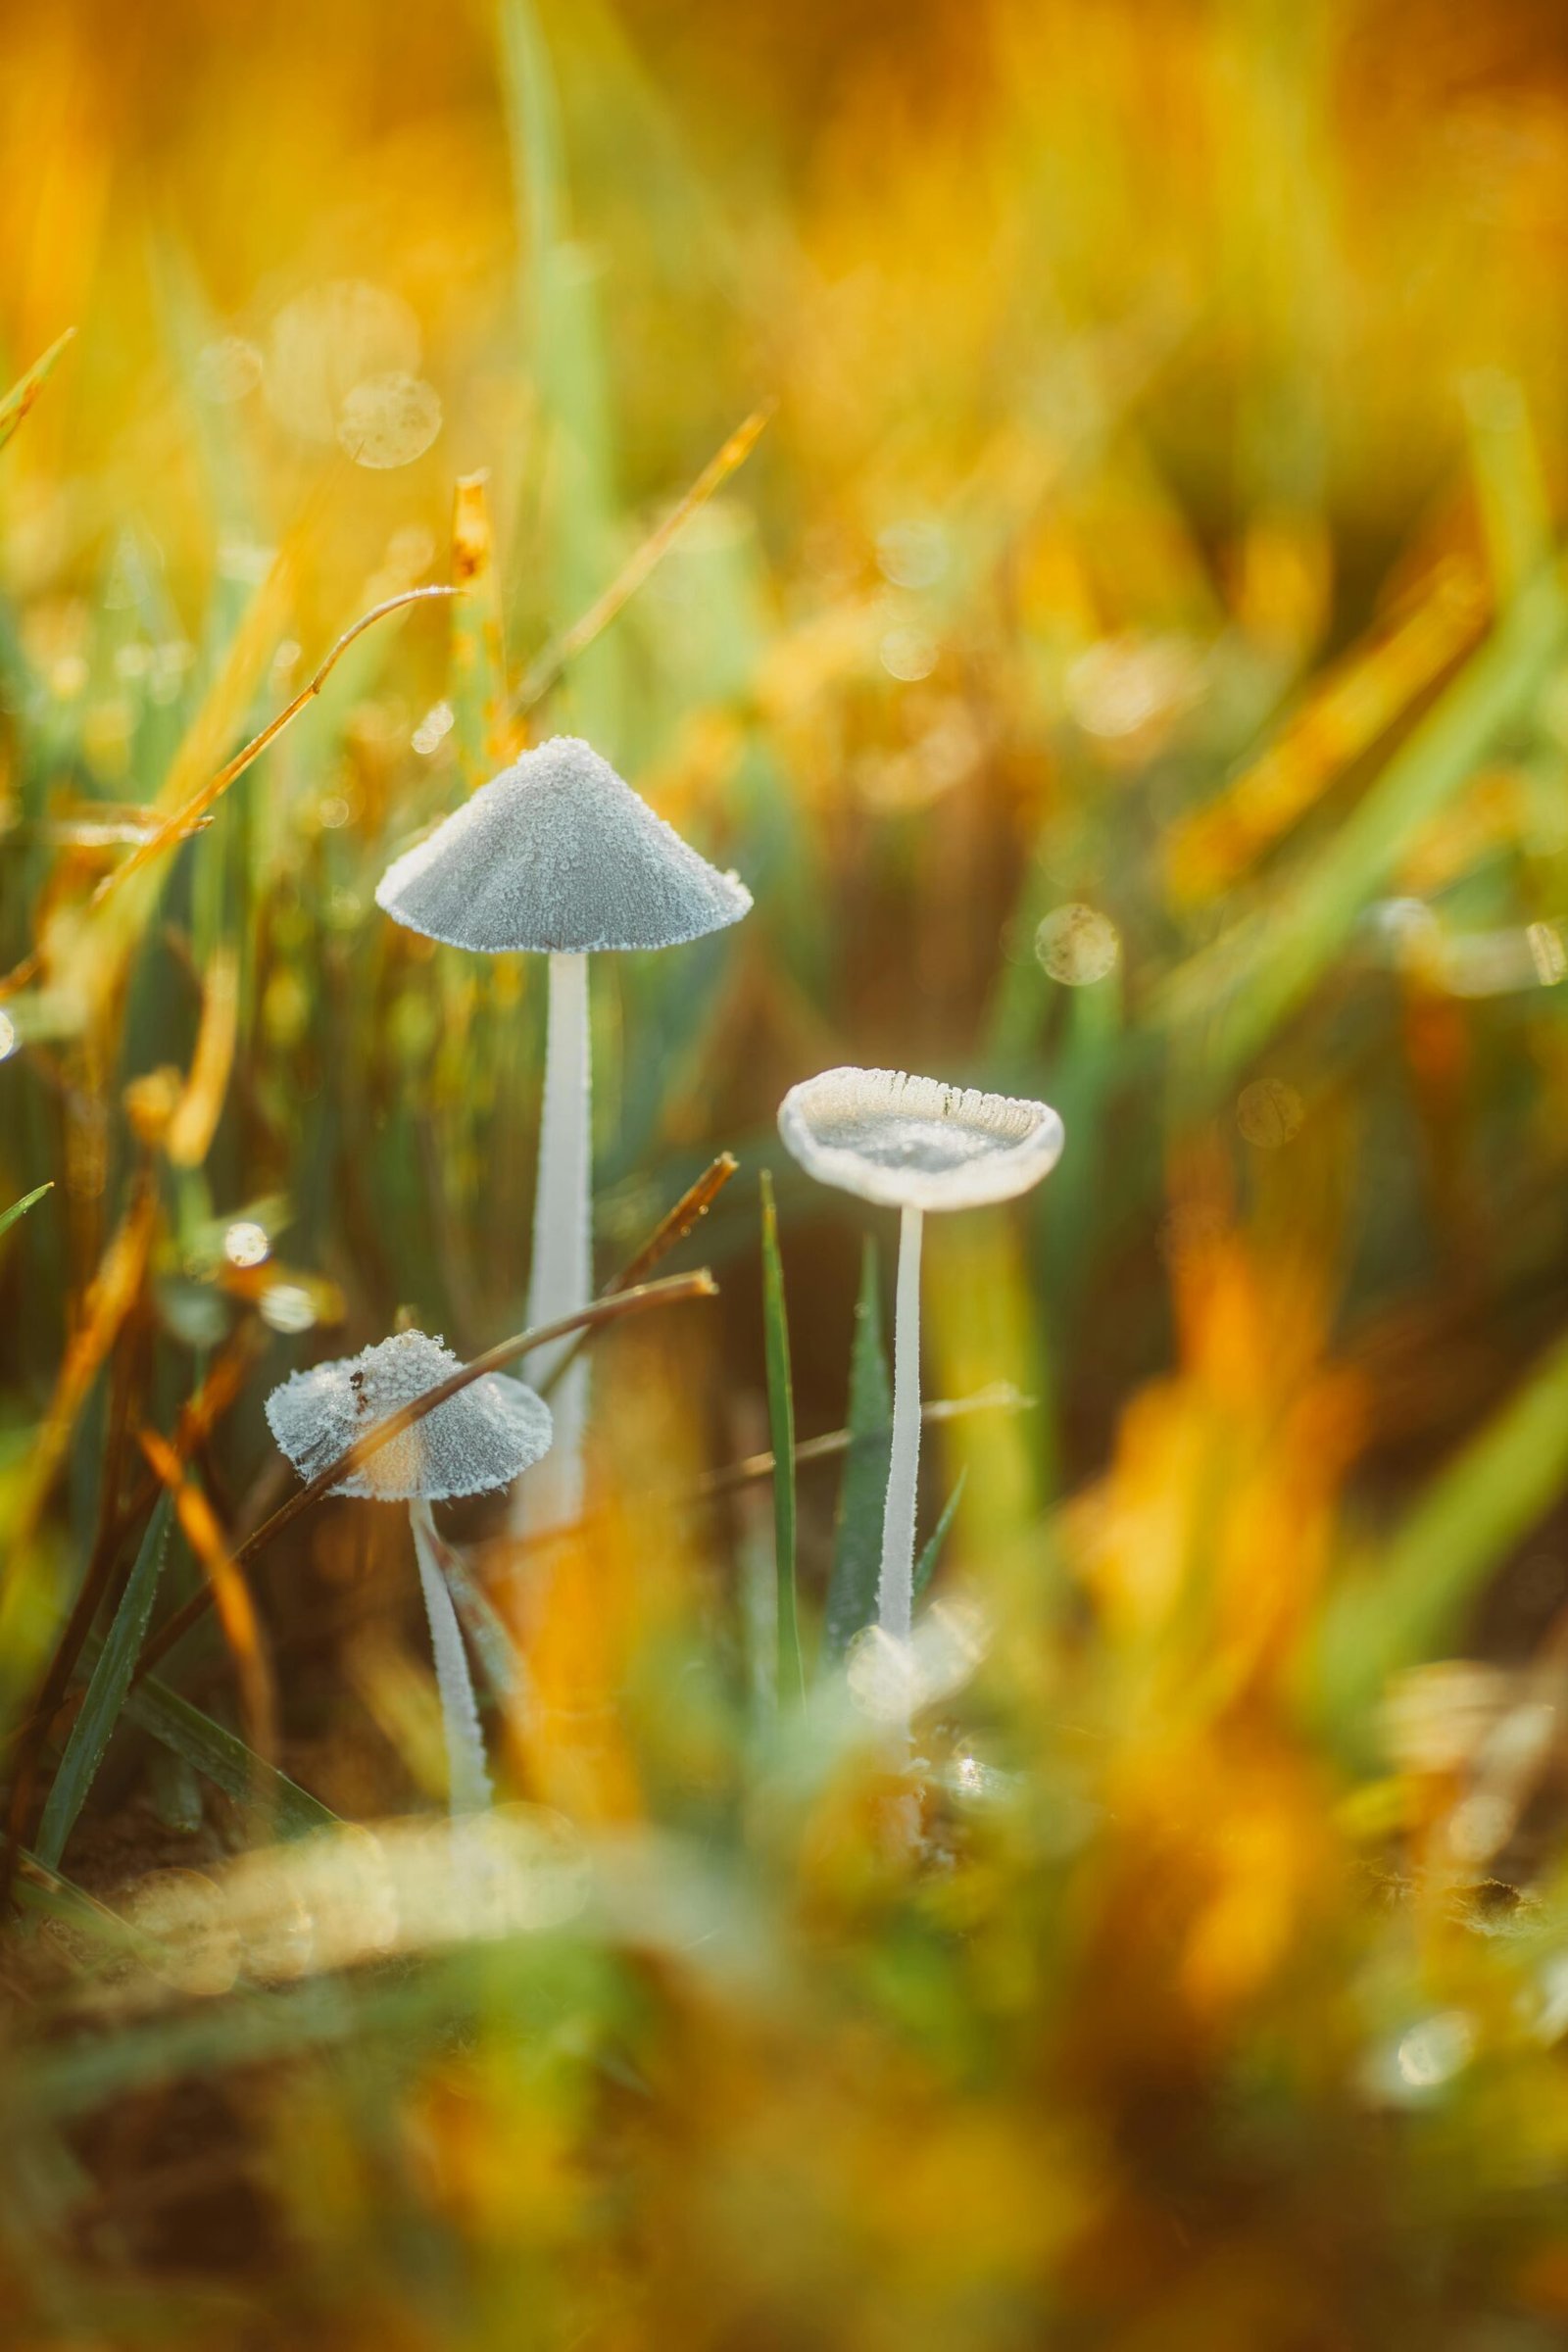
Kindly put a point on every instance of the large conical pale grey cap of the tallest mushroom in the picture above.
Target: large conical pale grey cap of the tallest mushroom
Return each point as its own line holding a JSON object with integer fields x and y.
{"x": 558, "y": 855}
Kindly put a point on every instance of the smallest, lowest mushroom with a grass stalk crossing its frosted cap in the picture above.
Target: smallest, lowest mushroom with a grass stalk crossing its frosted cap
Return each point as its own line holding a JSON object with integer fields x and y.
{"x": 478, "y": 1441}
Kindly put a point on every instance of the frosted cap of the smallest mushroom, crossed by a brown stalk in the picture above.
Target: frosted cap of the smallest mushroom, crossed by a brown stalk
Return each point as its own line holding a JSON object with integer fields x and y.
{"x": 481, "y": 1438}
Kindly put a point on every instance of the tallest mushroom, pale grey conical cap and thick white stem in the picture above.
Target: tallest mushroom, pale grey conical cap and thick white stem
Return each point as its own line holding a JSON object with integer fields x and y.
{"x": 558, "y": 857}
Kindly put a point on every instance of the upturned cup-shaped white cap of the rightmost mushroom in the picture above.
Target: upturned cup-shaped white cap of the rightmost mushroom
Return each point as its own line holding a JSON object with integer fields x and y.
{"x": 918, "y": 1144}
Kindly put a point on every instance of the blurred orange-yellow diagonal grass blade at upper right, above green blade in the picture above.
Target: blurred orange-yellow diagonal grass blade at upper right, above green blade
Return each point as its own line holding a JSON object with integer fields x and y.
{"x": 1348, "y": 714}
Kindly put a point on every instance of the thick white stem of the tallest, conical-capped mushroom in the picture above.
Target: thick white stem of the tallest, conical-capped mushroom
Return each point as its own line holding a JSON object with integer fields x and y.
{"x": 561, "y": 1281}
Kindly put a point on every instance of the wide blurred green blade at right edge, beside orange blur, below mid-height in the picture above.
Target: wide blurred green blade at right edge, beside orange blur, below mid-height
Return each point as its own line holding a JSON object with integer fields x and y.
{"x": 1414, "y": 1601}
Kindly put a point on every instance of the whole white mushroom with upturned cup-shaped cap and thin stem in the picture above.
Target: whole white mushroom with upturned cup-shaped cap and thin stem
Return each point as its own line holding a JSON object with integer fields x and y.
{"x": 913, "y": 1144}
